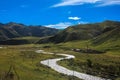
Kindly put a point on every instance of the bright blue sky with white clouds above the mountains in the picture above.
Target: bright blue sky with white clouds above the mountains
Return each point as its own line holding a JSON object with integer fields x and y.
{"x": 58, "y": 13}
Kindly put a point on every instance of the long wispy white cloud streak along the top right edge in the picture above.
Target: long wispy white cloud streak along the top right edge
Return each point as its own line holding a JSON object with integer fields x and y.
{"x": 81, "y": 2}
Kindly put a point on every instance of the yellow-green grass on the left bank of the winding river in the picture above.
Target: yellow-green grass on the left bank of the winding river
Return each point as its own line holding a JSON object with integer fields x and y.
{"x": 27, "y": 64}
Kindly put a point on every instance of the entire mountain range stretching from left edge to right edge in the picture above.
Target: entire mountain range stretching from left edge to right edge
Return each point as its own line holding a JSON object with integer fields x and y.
{"x": 99, "y": 33}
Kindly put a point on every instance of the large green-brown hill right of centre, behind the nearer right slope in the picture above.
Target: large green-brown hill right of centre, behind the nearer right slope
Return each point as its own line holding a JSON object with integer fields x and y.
{"x": 84, "y": 32}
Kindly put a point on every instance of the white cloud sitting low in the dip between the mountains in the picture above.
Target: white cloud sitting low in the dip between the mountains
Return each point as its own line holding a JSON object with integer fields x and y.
{"x": 60, "y": 25}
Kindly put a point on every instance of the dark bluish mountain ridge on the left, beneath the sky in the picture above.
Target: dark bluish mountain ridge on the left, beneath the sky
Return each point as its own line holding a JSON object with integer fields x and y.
{"x": 13, "y": 30}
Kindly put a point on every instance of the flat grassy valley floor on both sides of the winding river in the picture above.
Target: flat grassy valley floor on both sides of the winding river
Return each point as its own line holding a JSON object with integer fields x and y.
{"x": 26, "y": 63}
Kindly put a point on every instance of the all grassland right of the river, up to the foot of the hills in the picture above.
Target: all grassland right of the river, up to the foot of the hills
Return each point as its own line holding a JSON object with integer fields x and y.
{"x": 104, "y": 65}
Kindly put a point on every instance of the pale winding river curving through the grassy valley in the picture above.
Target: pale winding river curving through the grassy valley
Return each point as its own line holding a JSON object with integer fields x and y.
{"x": 52, "y": 63}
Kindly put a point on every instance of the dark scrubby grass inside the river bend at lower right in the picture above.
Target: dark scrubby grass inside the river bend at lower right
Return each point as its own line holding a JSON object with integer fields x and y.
{"x": 102, "y": 65}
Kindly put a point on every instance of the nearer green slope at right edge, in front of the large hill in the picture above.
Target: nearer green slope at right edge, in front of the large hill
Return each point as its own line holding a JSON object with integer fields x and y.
{"x": 109, "y": 40}
